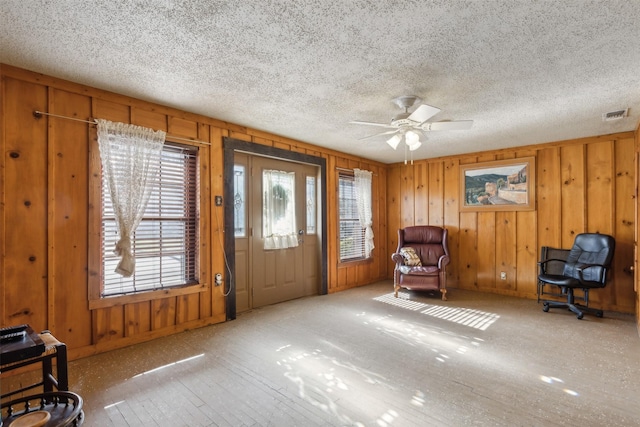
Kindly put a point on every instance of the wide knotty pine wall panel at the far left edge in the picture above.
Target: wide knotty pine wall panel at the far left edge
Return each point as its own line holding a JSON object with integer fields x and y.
{"x": 24, "y": 169}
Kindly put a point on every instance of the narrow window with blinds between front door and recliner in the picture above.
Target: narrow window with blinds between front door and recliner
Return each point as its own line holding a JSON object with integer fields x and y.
{"x": 351, "y": 232}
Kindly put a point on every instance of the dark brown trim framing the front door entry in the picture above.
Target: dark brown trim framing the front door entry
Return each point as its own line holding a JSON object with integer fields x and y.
{"x": 230, "y": 146}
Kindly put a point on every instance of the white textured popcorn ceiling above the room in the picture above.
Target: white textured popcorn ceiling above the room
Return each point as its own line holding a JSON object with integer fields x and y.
{"x": 525, "y": 71}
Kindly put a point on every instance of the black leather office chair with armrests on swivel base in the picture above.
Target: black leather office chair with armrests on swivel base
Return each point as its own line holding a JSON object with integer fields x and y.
{"x": 585, "y": 268}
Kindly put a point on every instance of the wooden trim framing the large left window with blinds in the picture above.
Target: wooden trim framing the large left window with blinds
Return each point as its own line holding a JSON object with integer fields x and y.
{"x": 95, "y": 299}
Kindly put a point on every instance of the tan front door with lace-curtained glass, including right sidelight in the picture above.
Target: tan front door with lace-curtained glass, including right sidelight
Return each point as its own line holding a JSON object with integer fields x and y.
{"x": 278, "y": 258}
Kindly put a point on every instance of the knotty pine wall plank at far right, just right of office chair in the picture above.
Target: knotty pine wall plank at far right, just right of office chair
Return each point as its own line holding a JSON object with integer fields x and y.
{"x": 623, "y": 294}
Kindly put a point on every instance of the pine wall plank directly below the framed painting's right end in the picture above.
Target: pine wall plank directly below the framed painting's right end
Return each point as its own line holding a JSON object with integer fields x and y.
{"x": 526, "y": 254}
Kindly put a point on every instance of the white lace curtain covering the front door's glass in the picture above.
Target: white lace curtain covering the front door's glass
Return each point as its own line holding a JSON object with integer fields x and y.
{"x": 279, "y": 220}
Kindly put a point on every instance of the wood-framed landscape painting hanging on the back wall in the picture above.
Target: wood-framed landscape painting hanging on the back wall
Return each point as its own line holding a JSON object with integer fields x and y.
{"x": 501, "y": 185}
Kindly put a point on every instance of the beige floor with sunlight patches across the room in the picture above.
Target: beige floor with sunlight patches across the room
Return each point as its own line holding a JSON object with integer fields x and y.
{"x": 364, "y": 358}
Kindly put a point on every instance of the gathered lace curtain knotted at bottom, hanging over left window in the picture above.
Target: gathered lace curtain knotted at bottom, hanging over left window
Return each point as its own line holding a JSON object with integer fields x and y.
{"x": 130, "y": 157}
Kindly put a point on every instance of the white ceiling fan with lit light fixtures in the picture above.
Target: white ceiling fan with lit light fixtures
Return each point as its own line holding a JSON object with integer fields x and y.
{"x": 411, "y": 125}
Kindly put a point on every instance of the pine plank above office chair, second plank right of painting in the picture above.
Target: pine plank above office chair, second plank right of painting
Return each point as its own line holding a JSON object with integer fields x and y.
{"x": 572, "y": 193}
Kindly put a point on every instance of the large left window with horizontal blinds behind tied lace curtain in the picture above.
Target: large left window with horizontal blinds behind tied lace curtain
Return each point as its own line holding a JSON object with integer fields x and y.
{"x": 165, "y": 244}
